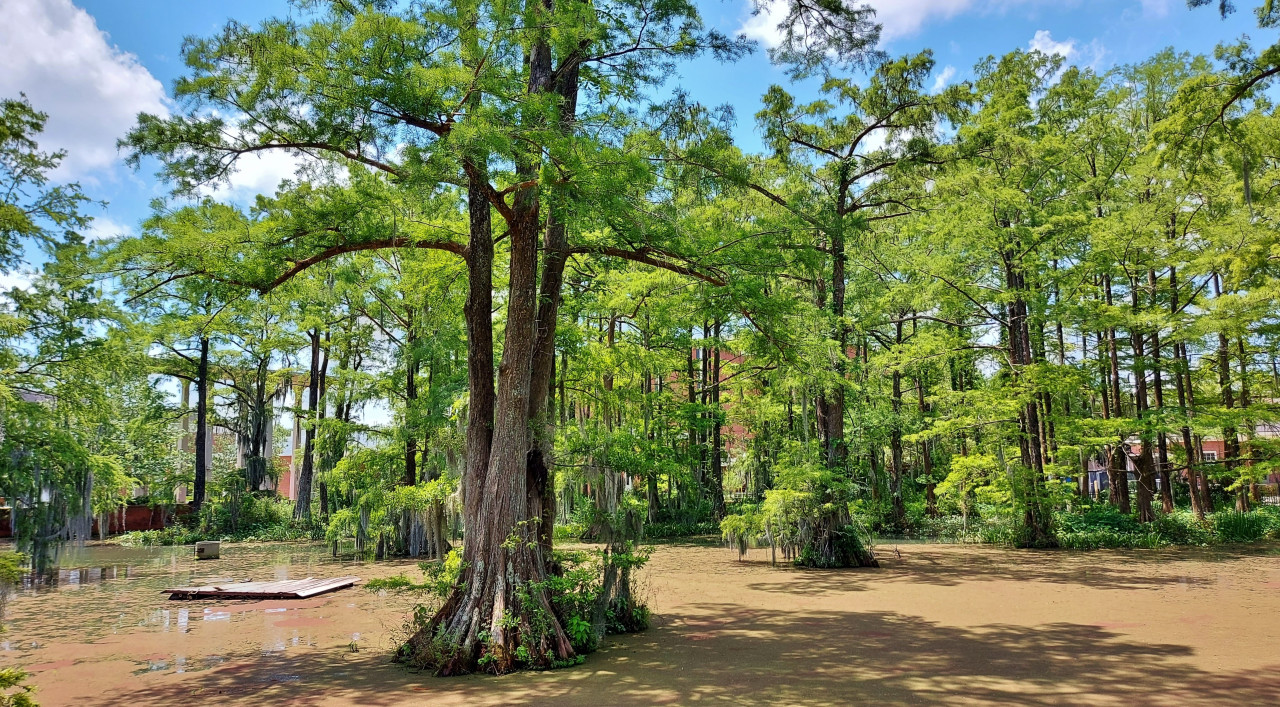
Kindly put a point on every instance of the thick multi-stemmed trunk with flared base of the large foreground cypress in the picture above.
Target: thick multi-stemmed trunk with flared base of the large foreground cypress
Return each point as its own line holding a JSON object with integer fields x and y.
{"x": 500, "y": 610}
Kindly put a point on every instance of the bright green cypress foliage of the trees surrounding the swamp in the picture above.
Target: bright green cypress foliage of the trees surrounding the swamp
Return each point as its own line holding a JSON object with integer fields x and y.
{"x": 922, "y": 312}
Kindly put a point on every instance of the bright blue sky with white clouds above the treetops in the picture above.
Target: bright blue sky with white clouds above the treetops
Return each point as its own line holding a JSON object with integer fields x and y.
{"x": 94, "y": 65}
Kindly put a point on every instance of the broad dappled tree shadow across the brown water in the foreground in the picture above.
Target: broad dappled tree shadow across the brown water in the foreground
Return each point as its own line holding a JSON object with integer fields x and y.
{"x": 764, "y": 658}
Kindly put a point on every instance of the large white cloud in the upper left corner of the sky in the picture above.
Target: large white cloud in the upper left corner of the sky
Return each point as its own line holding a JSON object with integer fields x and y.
{"x": 92, "y": 90}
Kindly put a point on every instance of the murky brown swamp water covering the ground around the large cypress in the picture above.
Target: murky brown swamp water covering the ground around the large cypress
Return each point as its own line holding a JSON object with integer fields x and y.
{"x": 941, "y": 624}
